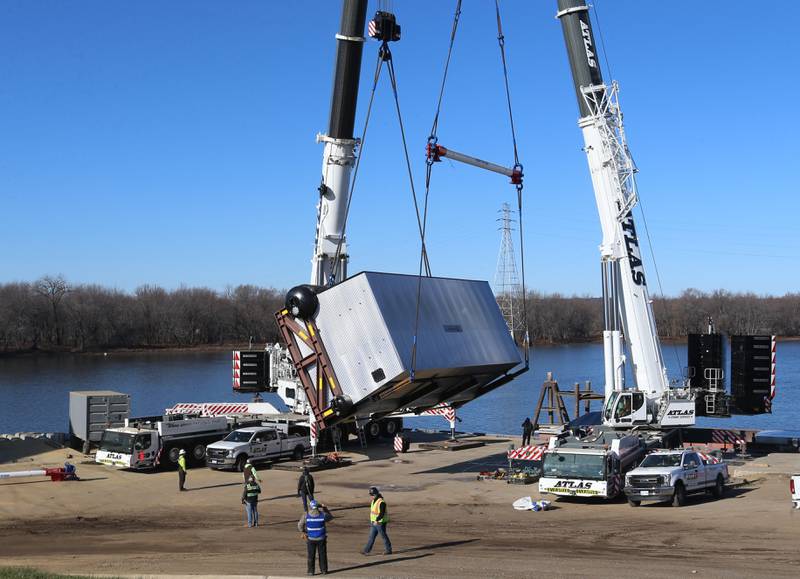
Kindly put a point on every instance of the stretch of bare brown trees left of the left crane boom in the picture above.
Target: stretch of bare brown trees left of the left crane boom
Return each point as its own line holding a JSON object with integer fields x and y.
{"x": 51, "y": 314}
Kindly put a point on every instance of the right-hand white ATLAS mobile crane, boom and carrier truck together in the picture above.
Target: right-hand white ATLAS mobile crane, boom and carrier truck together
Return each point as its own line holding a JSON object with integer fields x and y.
{"x": 647, "y": 416}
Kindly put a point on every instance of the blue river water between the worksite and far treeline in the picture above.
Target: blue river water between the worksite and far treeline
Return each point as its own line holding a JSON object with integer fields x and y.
{"x": 34, "y": 390}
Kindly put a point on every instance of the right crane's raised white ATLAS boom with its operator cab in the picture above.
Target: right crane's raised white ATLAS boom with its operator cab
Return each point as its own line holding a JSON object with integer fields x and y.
{"x": 628, "y": 311}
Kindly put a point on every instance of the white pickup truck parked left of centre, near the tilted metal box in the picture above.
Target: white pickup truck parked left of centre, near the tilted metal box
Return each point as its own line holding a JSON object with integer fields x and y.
{"x": 257, "y": 443}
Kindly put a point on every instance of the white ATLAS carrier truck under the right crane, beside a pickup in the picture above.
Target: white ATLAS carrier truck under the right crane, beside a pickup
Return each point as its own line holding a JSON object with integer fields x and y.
{"x": 589, "y": 466}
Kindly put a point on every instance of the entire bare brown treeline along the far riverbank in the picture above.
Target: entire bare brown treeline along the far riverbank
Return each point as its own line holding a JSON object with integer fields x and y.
{"x": 51, "y": 314}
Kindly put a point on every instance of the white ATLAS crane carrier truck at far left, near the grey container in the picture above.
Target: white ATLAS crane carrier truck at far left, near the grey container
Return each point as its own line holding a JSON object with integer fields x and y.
{"x": 150, "y": 441}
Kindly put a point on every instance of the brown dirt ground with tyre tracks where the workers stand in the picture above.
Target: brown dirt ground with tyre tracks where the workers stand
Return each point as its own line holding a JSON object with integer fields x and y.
{"x": 444, "y": 523}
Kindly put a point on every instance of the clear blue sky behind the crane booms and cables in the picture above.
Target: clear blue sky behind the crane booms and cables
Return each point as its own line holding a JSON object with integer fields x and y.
{"x": 173, "y": 142}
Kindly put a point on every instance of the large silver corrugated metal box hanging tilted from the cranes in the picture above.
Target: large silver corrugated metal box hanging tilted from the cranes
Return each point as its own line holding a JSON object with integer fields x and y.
{"x": 367, "y": 324}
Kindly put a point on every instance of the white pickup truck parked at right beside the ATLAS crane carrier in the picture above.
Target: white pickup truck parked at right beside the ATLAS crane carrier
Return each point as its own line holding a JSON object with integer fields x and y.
{"x": 670, "y": 475}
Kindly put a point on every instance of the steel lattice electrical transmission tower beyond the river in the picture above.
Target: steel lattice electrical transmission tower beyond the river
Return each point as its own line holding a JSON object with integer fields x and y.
{"x": 507, "y": 288}
